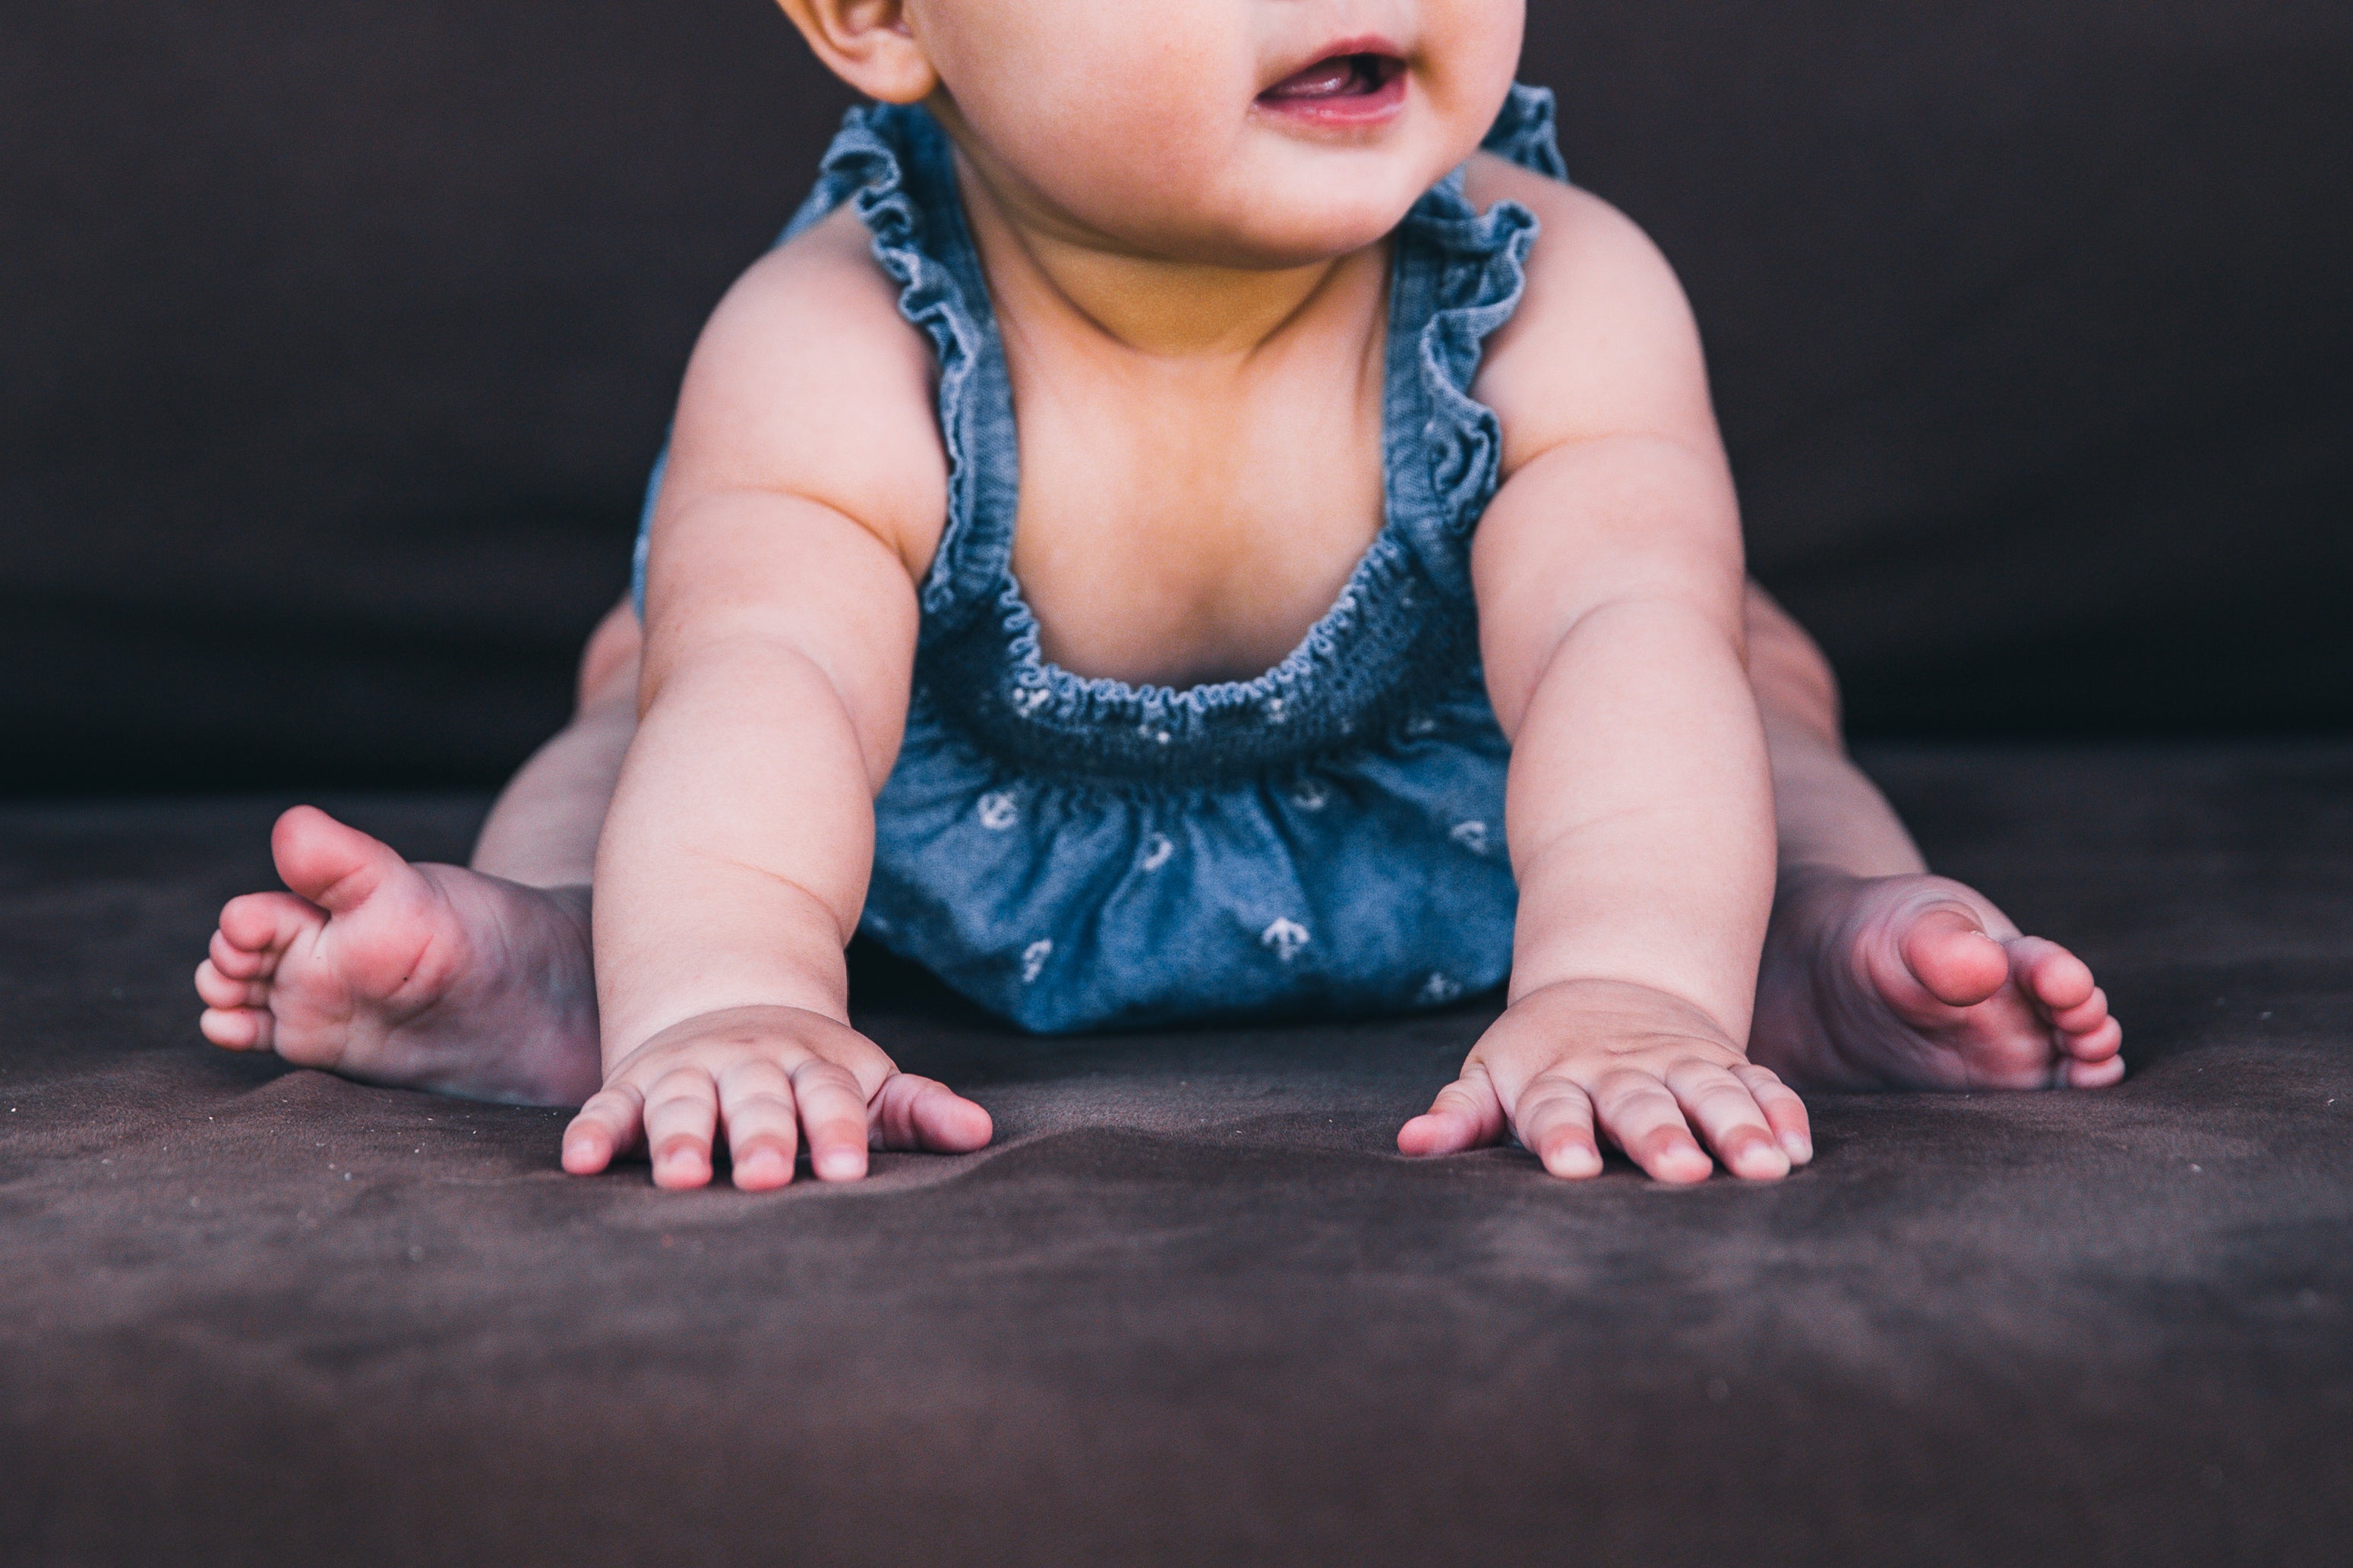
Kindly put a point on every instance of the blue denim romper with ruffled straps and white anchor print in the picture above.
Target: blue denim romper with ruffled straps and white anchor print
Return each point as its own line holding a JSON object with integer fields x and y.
{"x": 1326, "y": 838}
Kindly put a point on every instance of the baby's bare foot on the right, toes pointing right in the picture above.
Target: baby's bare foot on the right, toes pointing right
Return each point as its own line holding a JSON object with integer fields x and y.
{"x": 1921, "y": 984}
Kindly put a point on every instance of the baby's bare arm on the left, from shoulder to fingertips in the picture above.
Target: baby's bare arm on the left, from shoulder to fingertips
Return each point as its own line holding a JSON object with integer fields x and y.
{"x": 780, "y": 641}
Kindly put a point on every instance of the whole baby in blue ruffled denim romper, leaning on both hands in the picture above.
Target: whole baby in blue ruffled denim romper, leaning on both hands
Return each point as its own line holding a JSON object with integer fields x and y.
{"x": 1194, "y": 521}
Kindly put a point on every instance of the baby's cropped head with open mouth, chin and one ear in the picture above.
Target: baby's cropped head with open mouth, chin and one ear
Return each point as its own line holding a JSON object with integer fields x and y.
{"x": 1234, "y": 133}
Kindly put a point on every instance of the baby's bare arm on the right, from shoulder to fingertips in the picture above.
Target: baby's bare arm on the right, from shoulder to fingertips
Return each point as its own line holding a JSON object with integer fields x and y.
{"x": 1639, "y": 812}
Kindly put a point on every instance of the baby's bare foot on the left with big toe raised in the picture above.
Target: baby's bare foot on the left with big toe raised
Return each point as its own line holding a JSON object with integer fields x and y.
{"x": 425, "y": 977}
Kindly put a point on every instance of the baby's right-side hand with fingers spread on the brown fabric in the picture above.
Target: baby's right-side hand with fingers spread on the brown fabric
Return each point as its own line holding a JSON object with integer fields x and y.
{"x": 1637, "y": 1061}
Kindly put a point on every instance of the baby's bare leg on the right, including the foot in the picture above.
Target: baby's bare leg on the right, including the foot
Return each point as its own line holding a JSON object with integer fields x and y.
{"x": 1879, "y": 974}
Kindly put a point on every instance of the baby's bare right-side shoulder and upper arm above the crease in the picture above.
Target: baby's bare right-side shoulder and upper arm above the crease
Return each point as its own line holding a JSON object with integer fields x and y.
{"x": 1604, "y": 337}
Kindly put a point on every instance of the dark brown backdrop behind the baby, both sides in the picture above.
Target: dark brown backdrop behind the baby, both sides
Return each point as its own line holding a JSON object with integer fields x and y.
{"x": 338, "y": 340}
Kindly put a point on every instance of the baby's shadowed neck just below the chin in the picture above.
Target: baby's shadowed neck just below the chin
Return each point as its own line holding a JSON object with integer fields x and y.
{"x": 1046, "y": 269}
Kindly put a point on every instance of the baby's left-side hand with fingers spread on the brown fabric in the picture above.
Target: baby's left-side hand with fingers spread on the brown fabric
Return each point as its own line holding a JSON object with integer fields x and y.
{"x": 768, "y": 1076}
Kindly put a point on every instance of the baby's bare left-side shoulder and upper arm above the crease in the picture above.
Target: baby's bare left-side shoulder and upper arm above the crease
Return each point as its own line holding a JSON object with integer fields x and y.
{"x": 811, "y": 382}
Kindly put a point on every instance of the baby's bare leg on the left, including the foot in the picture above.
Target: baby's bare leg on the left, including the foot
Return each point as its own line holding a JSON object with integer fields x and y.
{"x": 436, "y": 977}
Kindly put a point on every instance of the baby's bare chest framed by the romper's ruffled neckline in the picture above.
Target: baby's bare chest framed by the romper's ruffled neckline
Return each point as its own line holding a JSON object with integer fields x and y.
{"x": 1178, "y": 542}
